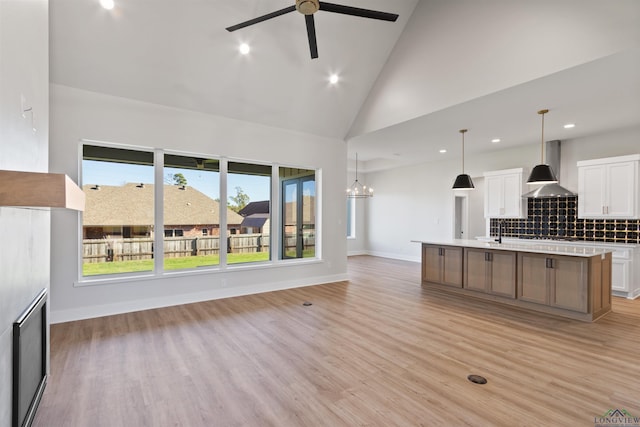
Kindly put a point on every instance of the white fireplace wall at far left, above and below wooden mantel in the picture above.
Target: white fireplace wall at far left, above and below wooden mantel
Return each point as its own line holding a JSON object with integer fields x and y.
{"x": 24, "y": 249}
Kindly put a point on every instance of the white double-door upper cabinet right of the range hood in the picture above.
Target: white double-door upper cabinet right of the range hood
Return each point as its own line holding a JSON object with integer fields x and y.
{"x": 608, "y": 188}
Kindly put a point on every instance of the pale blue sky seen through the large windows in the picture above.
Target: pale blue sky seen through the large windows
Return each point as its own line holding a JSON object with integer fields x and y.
{"x": 207, "y": 182}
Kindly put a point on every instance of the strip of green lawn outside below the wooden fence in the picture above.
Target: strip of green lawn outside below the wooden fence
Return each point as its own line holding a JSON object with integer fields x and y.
{"x": 92, "y": 269}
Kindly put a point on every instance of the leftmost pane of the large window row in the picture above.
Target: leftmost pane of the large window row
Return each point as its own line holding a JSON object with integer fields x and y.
{"x": 118, "y": 221}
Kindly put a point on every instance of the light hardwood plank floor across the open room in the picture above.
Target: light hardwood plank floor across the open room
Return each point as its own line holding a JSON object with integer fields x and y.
{"x": 378, "y": 350}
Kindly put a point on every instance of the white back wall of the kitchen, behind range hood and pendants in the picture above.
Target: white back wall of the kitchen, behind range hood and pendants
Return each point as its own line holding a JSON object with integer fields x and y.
{"x": 418, "y": 199}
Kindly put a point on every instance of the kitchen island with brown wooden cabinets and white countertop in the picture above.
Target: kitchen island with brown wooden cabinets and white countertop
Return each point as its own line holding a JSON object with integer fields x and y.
{"x": 565, "y": 280}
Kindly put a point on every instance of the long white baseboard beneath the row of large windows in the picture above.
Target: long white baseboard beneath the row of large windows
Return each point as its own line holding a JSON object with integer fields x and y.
{"x": 101, "y": 310}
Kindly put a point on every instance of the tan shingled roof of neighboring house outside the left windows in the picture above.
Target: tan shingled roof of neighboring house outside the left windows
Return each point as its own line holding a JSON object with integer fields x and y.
{"x": 132, "y": 204}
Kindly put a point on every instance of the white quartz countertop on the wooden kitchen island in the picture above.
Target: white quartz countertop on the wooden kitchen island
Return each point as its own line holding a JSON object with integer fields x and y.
{"x": 542, "y": 248}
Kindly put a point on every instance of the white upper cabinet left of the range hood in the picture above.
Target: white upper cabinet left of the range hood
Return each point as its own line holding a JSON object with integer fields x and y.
{"x": 503, "y": 194}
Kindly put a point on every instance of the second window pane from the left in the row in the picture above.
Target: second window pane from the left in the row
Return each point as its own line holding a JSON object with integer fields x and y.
{"x": 191, "y": 212}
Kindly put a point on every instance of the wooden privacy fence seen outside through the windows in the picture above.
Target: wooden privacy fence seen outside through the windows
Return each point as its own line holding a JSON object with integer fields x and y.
{"x": 108, "y": 250}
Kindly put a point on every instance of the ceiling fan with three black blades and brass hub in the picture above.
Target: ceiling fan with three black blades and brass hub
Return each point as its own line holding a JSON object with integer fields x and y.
{"x": 308, "y": 8}
